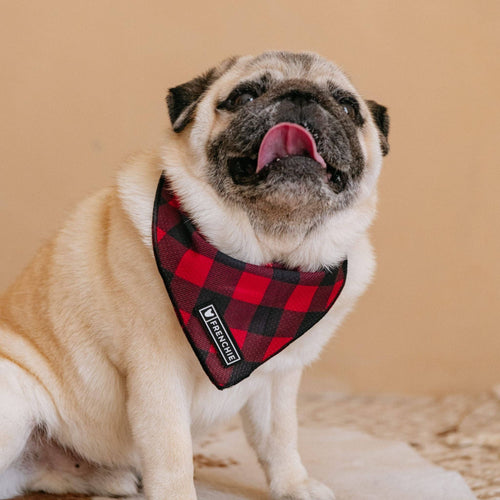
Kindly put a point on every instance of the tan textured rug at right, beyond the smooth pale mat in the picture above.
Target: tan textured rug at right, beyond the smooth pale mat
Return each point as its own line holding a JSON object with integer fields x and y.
{"x": 457, "y": 432}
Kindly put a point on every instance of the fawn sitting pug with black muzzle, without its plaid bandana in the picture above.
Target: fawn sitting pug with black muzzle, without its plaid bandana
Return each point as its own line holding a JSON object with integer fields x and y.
{"x": 274, "y": 159}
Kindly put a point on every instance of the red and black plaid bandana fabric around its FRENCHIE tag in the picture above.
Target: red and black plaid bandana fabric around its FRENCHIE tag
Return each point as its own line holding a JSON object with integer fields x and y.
{"x": 264, "y": 307}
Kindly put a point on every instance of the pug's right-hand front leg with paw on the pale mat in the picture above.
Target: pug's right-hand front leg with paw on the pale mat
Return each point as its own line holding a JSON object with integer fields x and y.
{"x": 270, "y": 422}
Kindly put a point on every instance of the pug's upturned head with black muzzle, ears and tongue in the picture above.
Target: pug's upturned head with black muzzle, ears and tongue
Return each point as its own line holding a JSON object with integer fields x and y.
{"x": 284, "y": 137}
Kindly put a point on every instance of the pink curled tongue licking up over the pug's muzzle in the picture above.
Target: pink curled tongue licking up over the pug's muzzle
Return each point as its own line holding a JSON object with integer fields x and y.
{"x": 287, "y": 139}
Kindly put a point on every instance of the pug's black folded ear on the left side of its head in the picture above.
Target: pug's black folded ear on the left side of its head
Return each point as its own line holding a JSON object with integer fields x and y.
{"x": 182, "y": 100}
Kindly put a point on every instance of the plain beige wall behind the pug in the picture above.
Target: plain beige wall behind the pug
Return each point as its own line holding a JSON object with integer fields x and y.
{"x": 82, "y": 85}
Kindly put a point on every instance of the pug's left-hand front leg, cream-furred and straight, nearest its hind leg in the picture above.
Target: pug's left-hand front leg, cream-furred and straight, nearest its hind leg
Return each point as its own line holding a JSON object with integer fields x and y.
{"x": 158, "y": 407}
